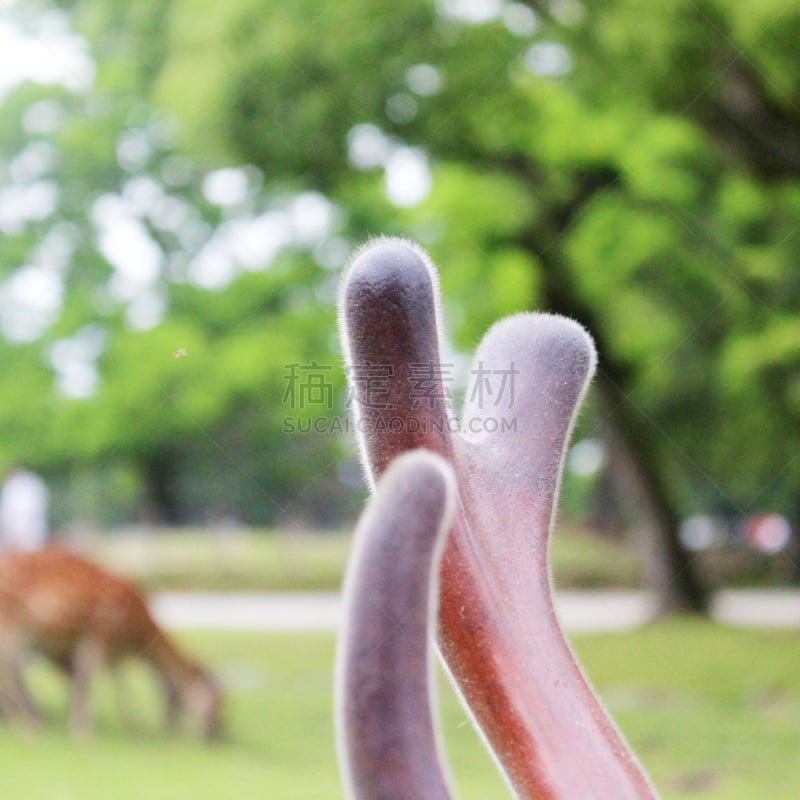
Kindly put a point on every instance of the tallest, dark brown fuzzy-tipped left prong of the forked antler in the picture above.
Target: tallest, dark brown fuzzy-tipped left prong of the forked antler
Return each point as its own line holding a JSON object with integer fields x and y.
{"x": 388, "y": 320}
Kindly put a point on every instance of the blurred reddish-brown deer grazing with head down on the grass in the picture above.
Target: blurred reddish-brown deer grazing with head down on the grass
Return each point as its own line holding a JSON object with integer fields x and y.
{"x": 81, "y": 617}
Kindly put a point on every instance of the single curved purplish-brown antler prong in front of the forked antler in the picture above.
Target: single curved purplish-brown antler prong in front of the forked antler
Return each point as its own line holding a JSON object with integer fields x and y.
{"x": 387, "y": 739}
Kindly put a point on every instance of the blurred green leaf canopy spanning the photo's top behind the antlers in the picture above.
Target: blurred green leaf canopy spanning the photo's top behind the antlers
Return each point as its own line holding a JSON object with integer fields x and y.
{"x": 643, "y": 157}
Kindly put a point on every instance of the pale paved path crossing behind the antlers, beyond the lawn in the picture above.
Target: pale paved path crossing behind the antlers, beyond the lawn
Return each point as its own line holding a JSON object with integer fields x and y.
{"x": 579, "y": 611}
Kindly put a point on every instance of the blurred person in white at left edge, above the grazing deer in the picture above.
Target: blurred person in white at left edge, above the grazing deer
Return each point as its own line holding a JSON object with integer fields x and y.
{"x": 23, "y": 511}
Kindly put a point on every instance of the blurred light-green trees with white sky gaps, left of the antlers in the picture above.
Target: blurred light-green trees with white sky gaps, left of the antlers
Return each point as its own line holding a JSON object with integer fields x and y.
{"x": 150, "y": 310}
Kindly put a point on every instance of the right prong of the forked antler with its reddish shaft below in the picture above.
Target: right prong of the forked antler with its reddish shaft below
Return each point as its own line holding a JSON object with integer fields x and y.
{"x": 514, "y": 667}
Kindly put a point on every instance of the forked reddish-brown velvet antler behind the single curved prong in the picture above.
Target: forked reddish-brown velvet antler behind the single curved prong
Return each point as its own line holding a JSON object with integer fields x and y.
{"x": 498, "y": 631}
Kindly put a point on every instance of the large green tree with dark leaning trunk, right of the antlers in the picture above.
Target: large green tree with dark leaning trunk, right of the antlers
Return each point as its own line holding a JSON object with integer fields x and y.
{"x": 633, "y": 167}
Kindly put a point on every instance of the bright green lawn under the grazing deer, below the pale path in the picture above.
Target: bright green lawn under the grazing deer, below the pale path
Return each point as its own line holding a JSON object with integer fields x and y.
{"x": 712, "y": 712}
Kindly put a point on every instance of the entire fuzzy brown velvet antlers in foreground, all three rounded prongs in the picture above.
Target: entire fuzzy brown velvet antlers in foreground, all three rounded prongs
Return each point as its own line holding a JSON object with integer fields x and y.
{"x": 455, "y": 544}
